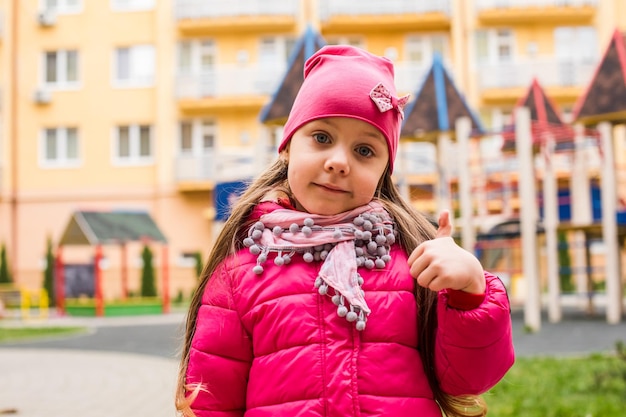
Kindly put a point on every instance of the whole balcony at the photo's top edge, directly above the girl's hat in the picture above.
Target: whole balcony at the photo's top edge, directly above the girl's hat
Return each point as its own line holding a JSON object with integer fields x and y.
{"x": 376, "y": 16}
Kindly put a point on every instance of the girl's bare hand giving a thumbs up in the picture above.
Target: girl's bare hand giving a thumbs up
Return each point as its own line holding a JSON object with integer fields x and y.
{"x": 440, "y": 263}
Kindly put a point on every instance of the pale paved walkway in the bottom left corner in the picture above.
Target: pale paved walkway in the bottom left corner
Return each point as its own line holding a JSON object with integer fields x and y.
{"x": 59, "y": 383}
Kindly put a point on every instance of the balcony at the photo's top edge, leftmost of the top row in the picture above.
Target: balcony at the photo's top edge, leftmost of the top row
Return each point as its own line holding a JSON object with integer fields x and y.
{"x": 201, "y": 17}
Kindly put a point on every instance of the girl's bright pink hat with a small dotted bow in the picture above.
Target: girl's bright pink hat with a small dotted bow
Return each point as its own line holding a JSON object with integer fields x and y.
{"x": 344, "y": 81}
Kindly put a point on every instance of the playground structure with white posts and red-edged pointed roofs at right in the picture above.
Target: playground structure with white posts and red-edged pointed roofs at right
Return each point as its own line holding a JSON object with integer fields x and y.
{"x": 538, "y": 135}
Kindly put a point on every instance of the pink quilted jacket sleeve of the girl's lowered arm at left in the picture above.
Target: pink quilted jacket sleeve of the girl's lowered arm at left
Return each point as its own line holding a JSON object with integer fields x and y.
{"x": 221, "y": 353}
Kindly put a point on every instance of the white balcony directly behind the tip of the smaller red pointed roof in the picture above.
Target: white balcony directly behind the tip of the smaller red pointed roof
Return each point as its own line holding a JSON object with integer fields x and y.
{"x": 506, "y": 82}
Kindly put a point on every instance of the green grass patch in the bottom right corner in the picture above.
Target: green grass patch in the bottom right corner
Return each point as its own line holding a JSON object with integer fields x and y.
{"x": 592, "y": 386}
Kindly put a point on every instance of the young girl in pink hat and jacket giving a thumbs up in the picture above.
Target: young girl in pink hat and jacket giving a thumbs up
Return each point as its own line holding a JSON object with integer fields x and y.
{"x": 326, "y": 293}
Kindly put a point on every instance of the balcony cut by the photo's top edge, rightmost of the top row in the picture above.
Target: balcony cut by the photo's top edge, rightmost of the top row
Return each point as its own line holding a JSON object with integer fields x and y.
{"x": 512, "y": 12}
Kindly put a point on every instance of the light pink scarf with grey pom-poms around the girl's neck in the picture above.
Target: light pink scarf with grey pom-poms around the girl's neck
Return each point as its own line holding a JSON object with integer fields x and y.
{"x": 344, "y": 242}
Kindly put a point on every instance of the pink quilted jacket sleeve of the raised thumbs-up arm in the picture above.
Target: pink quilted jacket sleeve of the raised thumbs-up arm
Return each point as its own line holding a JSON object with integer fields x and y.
{"x": 474, "y": 348}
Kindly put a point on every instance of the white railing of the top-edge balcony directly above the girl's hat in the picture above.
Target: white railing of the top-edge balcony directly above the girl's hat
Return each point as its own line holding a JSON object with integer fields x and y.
{"x": 328, "y": 8}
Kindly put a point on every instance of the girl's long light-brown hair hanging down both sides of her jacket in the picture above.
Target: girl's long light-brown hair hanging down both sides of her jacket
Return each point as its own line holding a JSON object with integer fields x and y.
{"x": 413, "y": 228}
